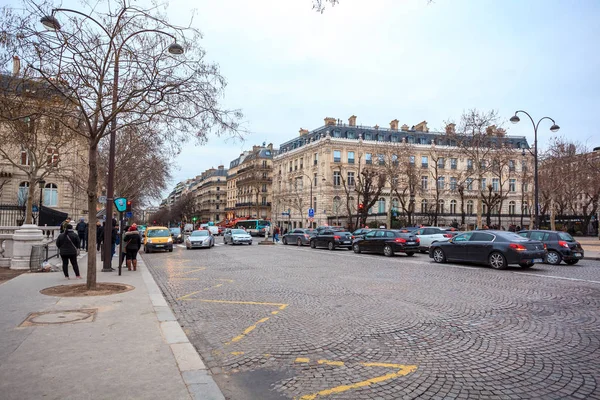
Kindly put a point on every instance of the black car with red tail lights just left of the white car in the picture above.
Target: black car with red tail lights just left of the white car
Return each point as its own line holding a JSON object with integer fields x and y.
{"x": 388, "y": 242}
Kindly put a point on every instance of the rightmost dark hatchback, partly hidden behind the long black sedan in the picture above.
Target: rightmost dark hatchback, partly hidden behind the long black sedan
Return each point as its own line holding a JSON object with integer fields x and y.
{"x": 561, "y": 246}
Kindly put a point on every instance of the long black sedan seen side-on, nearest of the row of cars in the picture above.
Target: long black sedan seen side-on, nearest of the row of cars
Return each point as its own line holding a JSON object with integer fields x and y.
{"x": 497, "y": 249}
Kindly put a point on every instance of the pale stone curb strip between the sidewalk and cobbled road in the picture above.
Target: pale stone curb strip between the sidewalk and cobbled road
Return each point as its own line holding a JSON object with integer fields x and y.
{"x": 196, "y": 376}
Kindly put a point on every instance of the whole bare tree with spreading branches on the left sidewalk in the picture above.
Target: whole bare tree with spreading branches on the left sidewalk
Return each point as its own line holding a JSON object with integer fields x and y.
{"x": 112, "y": 66}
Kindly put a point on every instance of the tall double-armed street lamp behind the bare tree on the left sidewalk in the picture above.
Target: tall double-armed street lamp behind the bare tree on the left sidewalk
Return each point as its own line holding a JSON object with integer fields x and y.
{"x": 51, "y": 23}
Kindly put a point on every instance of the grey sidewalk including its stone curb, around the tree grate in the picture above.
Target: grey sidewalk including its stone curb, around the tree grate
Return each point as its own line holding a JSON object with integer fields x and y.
{"x": 133, "y": 349}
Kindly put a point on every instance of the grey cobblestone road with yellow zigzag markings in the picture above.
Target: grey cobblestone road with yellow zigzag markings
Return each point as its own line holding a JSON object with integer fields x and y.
{"x": 282, "y": 322}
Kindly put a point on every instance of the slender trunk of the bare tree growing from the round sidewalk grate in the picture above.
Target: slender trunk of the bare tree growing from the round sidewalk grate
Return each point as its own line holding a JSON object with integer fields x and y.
{"x": 91, "y": 193}
